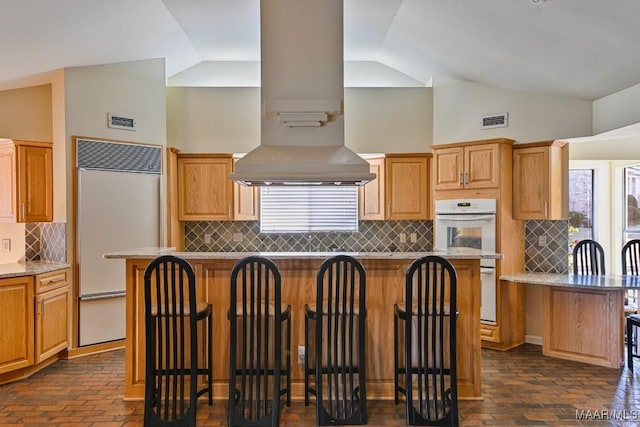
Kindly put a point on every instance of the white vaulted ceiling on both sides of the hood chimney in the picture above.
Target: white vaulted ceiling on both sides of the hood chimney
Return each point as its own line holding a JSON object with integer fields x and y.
{"x": 583, "y": 49}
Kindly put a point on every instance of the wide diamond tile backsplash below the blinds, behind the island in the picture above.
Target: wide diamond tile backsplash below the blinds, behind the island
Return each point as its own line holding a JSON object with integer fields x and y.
{"x": 245, "y": 236}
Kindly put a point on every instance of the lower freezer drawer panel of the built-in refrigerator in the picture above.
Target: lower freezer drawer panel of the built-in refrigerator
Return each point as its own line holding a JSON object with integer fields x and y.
{"x": 102, "y": 320}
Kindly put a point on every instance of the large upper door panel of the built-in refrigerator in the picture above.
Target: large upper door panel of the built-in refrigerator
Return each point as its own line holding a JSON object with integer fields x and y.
{"x": 116, "y": 211}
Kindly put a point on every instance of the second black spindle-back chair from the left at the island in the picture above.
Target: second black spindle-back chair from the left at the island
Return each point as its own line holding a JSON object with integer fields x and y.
{"x": 257, "y": 315}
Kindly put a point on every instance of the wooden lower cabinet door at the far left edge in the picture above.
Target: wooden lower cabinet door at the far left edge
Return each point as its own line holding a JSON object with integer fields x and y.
{"x": 16, "y": 313}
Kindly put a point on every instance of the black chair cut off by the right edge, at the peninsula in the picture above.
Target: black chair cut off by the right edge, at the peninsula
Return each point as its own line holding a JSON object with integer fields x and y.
{"x": 631, "y": 266}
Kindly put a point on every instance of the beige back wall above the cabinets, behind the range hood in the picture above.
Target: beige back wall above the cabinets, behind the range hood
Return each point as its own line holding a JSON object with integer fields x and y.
{"x": 228, "y": 119}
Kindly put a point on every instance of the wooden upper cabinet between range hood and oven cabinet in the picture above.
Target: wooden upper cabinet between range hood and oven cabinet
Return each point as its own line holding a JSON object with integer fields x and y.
{"x": 401, "y": 191}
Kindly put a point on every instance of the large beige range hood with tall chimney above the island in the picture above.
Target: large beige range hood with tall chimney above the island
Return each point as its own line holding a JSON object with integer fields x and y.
{"x": 302, "y": 91}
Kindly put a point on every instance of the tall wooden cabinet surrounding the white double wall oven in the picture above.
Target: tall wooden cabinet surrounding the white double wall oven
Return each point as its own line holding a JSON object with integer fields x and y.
{"x": 483, "y": 169}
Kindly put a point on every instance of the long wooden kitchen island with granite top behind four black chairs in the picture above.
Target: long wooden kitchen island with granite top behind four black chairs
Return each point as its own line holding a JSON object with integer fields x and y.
{"x": 385, "y": 286}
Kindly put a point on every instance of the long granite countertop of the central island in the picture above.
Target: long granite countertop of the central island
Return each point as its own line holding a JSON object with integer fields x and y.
{"x": 142, "y": 253}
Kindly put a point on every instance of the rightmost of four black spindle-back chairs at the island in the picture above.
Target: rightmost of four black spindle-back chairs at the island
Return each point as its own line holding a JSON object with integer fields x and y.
{"x": 425, "y": 343}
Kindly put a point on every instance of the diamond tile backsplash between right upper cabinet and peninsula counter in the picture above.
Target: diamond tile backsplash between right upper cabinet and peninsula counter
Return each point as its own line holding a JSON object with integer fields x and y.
{"x": 552, "y": 257}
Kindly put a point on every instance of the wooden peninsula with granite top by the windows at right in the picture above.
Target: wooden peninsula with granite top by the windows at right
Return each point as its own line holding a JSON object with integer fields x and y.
{"x": 582, "y": 316}
